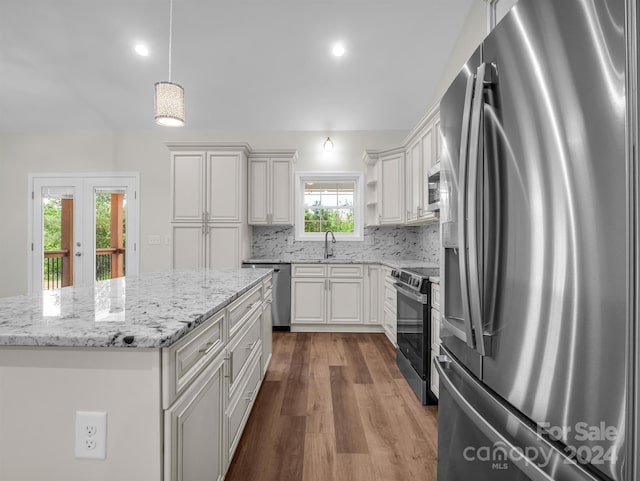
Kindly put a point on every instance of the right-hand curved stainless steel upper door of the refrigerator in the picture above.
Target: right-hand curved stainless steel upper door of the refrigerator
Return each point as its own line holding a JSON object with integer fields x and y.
{"x": 554, "y": 154}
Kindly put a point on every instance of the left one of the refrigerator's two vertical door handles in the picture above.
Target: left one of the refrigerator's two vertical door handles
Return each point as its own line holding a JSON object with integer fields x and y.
{"x": 462, "y": 212}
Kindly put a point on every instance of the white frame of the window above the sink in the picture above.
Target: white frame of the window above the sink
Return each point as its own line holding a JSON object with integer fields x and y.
{"x": 358, "y": 225}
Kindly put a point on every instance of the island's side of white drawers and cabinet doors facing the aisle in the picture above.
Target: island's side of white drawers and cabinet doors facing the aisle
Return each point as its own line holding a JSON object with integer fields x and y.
{"x": 211, "y": 379}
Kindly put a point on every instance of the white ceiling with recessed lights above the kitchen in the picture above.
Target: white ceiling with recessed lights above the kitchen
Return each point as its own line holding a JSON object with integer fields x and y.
{"x": 244, "y": 64}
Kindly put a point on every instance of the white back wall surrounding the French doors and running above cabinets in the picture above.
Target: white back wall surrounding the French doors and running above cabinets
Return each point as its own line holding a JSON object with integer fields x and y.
{"x": 146, "y": 153}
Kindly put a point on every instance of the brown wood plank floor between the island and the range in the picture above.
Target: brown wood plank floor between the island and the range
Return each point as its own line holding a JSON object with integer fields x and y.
{"x": 336, "y": 407}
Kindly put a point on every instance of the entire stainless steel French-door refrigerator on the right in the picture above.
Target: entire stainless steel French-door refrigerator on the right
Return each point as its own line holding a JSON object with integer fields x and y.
{"x": 539, "y": 219}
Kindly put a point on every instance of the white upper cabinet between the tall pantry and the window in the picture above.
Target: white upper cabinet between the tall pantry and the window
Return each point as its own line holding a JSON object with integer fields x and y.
{"x": 271, "y": 187}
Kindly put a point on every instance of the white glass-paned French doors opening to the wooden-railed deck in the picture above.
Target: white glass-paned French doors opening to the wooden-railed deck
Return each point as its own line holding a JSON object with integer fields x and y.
{"x": 83, "y": 228}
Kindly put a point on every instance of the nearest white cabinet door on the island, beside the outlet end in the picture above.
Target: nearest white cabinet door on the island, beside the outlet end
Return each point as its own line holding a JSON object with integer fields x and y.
{"x": 194, "y": 429}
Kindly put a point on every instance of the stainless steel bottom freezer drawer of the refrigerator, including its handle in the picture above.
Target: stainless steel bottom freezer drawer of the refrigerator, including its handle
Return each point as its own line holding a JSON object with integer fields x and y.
{"x": 481, "y": 438}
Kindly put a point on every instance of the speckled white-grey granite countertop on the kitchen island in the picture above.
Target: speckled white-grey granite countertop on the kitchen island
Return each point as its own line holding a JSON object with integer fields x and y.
{"x": 150, "y": 310}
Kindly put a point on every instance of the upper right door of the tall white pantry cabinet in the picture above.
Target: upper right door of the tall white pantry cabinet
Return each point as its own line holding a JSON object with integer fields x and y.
{"x": 224, "y": 187}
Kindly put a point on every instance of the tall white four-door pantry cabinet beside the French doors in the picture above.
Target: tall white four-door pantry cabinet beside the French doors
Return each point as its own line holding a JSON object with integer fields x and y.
{"x": 209, "y": 205}
